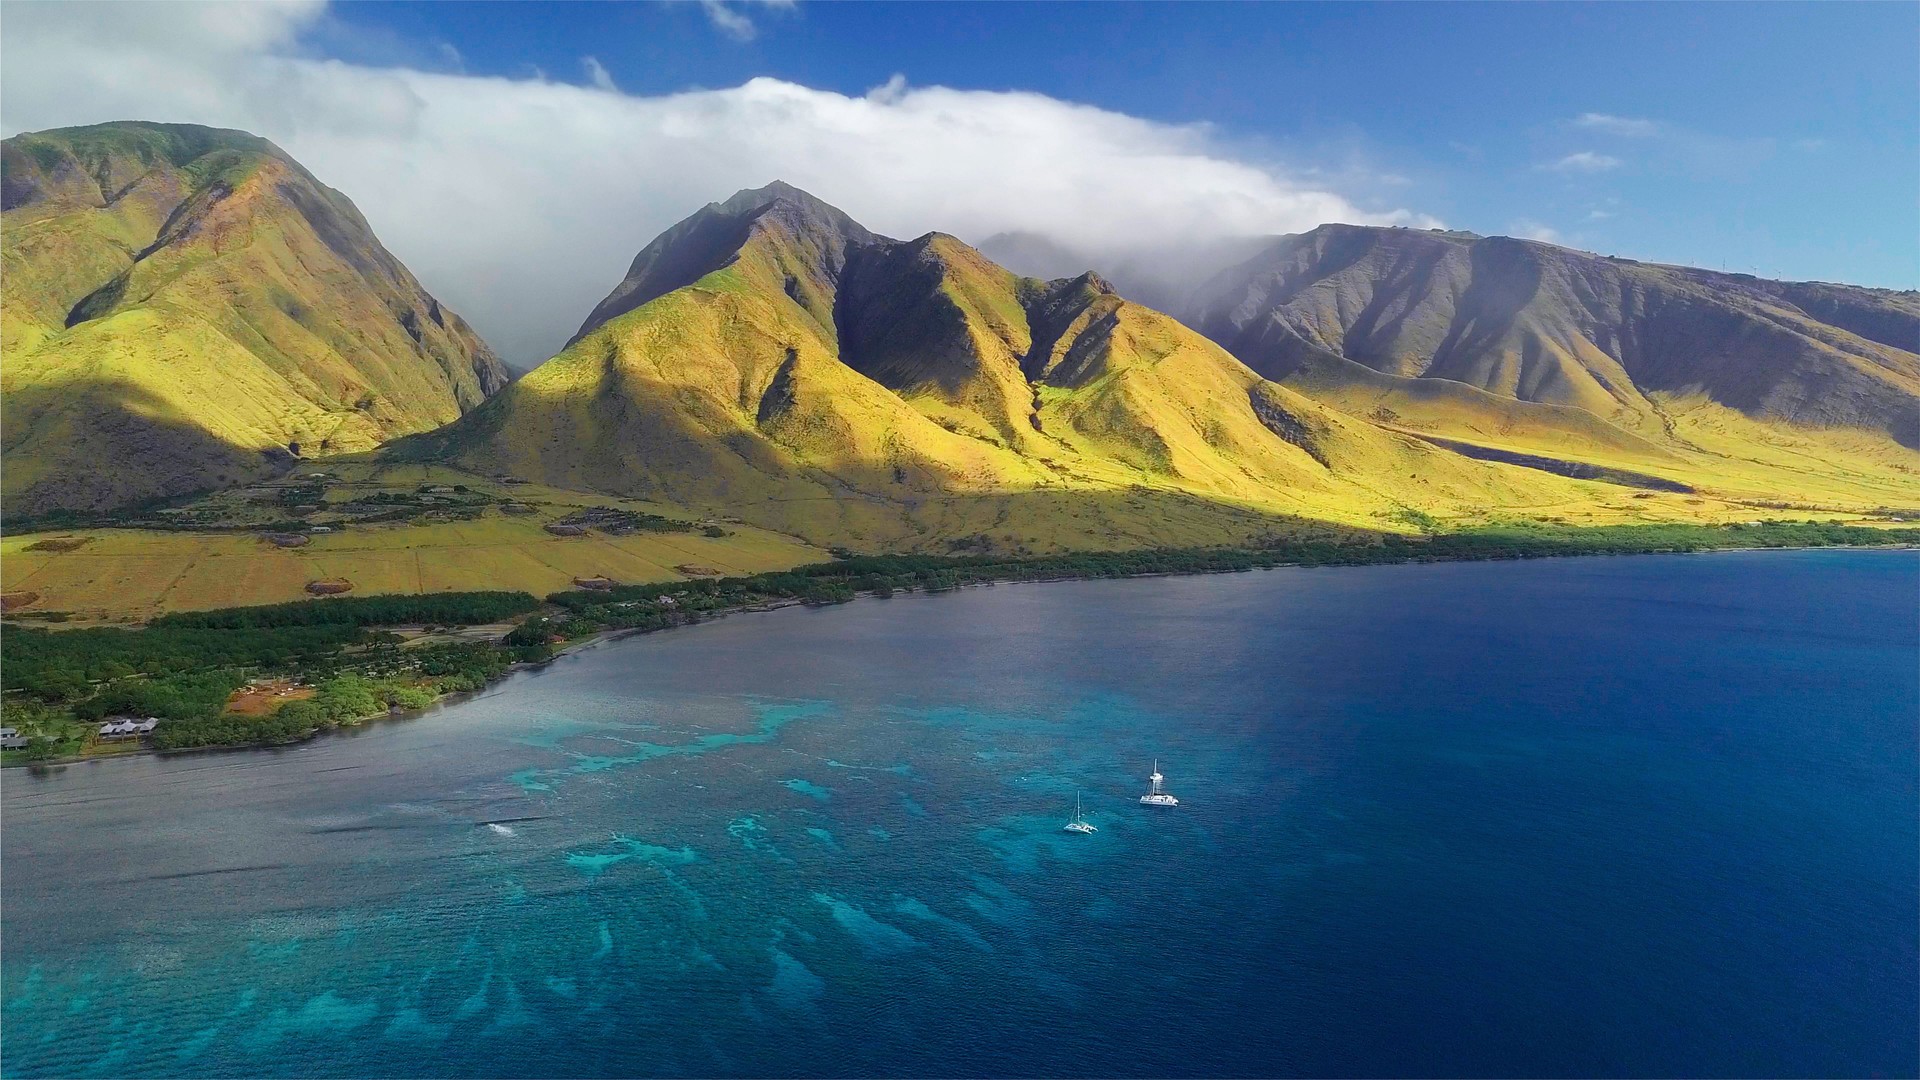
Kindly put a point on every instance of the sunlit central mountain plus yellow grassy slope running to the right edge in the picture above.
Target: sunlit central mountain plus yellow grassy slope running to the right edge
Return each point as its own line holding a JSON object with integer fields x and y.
{"x": 773, "y": 360}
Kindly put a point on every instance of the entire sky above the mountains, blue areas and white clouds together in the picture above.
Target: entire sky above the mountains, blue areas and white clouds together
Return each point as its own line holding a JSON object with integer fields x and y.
{"x": 516, "y": 157}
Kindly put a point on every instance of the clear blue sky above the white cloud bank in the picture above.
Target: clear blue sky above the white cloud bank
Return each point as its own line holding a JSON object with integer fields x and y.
{"x": 1773, "y": 137}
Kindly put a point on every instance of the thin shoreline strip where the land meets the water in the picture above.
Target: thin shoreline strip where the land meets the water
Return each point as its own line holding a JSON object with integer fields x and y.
{"x": 777, "y": 604}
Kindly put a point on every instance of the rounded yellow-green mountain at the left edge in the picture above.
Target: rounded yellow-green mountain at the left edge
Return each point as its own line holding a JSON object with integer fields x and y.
{"x": 187, "y": 308}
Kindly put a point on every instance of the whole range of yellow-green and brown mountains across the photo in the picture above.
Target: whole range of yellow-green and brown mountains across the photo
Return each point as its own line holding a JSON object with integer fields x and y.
{"x": 773, "y": 360}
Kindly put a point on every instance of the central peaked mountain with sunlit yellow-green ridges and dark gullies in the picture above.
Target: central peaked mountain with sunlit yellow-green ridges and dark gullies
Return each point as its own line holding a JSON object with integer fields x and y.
{"x": 775, "y": 360}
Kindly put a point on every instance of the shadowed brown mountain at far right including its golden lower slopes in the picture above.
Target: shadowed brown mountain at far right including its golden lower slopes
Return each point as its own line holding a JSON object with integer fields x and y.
{"x": 1489, "y": 337}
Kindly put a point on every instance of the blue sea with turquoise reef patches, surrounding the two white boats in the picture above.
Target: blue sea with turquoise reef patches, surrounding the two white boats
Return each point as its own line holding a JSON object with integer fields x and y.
{"x": 1644, "y": 816}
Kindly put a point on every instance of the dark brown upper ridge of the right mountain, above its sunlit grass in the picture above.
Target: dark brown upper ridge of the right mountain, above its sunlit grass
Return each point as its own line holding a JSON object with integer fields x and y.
{"x": 1547, "y": 324}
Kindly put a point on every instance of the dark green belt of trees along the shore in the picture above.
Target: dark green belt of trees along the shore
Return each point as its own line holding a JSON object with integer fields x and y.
{"x": 341, "y": 662}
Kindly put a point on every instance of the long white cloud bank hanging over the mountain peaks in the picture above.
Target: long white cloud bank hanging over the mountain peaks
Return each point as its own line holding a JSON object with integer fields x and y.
{"x": 521, "y": 201}
